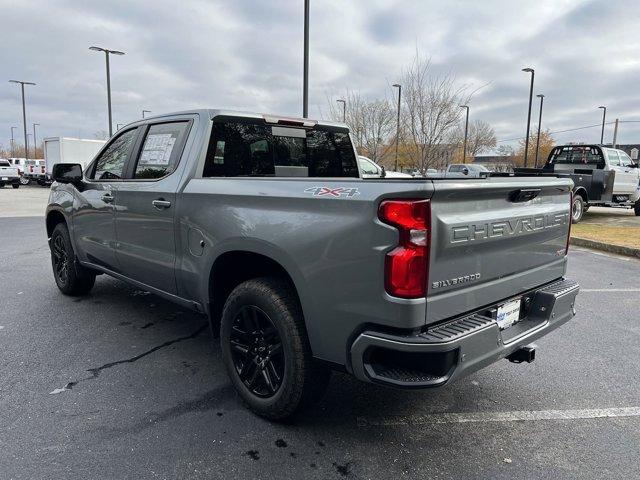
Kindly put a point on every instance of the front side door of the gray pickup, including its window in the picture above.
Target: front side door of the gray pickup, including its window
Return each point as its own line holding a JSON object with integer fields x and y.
{"x": 93, "y": 214}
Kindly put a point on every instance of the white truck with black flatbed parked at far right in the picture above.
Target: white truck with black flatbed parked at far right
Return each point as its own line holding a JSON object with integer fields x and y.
{"x": 605, "y": 177}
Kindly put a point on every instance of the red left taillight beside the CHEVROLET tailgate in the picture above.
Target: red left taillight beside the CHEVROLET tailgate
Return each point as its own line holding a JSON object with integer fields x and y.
{"x": 407, "y": 265}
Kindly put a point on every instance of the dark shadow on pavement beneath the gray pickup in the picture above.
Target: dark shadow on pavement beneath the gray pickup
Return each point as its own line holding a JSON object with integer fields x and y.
{"x": 176, "y": 333}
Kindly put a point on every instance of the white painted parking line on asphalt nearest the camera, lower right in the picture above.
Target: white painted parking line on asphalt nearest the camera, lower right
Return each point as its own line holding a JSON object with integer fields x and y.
{"x": 485, "y": 417}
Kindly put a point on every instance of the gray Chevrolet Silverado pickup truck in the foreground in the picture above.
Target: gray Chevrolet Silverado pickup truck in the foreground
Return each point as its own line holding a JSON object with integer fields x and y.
{"x": 265, "y": 225}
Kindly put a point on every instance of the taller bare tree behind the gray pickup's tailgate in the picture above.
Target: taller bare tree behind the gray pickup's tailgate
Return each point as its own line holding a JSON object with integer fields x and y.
{"x": 431, "y": 113}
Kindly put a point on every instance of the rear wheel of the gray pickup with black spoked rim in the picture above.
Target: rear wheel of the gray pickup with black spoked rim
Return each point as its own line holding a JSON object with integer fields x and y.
{"x": 266, "y": 350}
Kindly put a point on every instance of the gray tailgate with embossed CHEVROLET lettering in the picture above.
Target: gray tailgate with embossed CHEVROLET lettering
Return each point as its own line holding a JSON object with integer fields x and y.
{"x": 490, "y": 241}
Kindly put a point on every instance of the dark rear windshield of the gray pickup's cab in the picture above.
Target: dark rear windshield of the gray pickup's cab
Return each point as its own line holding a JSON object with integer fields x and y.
{"x": 259, "y": 150}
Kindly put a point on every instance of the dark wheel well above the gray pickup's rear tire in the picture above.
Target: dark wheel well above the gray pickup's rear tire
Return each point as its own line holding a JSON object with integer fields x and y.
{"x": 231, "y": 269}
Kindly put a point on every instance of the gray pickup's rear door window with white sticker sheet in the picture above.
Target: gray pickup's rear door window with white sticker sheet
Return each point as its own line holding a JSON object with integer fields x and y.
{"x": 159, "y": 155}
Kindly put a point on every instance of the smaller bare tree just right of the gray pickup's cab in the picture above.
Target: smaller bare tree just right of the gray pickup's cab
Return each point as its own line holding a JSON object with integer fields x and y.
{"x": 371, "y": 123}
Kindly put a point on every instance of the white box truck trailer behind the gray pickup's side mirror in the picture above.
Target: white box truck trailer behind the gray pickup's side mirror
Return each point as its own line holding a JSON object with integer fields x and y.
{"x": 67, "y": 150}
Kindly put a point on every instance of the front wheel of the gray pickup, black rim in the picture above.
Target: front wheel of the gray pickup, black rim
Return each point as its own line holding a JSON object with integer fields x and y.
{"x": 71, "y": 278}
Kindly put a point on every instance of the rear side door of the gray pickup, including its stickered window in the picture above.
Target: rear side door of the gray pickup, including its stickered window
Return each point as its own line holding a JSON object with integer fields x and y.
{"x": 145, "y": 207}
